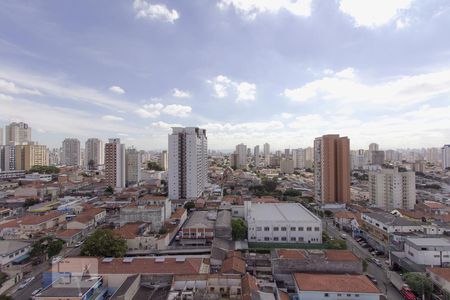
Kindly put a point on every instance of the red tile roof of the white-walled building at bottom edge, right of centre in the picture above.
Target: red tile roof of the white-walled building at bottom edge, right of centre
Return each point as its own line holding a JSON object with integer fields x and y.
{"x": 335, "y": 283}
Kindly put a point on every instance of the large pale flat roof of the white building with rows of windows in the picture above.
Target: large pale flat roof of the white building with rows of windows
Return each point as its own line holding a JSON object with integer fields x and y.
{"x": 281, "y": 212}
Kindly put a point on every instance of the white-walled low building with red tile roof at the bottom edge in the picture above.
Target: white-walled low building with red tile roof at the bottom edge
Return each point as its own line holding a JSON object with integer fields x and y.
{"x": 335, "y": 286}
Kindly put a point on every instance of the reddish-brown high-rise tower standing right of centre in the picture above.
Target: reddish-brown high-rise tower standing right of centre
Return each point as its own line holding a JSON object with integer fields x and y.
{"x": 332, "y": 169}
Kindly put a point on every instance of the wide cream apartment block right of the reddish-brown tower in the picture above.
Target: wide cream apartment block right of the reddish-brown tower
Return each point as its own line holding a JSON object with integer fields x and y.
{"x": 390, "y": 189}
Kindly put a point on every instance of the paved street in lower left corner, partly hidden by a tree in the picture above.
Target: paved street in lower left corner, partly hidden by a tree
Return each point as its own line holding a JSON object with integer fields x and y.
{"x": 26, "y": 292}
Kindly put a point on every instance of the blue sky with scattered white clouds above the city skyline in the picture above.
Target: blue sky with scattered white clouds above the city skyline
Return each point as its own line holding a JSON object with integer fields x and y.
{"x": 248, "y": 71}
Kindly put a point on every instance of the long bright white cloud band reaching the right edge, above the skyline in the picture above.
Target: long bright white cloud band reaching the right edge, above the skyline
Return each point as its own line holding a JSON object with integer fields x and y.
{"x": 347, "y": 88}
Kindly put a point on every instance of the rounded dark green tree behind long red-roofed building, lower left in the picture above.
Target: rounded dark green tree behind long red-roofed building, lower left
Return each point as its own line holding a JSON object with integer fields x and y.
{"x": 103, "y": 242}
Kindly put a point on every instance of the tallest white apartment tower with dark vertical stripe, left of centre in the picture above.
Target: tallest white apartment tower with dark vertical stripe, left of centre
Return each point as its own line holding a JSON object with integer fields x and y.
{"x": 188, "y": 162}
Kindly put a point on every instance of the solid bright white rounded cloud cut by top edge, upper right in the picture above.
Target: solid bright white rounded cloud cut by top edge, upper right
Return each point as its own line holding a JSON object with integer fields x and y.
{"x": 374, "y": 13}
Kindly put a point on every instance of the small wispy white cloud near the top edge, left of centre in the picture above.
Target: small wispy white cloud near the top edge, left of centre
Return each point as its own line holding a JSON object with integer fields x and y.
{"x": 157, "y": 12}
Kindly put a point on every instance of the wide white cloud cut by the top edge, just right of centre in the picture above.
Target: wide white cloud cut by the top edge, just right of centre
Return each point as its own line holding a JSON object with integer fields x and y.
{"x": 249, "y": 9}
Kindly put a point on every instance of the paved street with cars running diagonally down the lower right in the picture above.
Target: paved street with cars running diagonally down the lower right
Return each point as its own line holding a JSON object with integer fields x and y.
{"x": 379, "y": 273}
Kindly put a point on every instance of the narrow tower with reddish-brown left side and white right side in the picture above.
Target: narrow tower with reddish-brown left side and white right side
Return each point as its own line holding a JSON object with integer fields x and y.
{"x": 115, "y": 163}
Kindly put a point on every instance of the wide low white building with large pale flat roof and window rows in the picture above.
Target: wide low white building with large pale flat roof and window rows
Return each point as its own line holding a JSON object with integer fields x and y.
{"x": 282, "y": 223}
